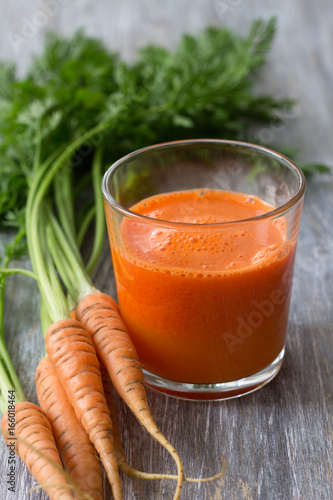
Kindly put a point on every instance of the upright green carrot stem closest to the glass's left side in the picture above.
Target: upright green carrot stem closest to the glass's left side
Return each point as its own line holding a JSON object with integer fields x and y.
{"x": 99, "y": 218}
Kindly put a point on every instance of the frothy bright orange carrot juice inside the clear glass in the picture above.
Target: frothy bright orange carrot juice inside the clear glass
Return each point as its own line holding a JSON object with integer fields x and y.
{"x": 204, "y": 302}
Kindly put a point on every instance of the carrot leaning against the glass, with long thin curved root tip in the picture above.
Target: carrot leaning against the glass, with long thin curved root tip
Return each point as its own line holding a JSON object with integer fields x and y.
{"x": 99, "y": 314}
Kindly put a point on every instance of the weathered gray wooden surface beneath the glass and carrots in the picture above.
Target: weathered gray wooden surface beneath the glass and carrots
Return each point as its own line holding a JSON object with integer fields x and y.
{"x": 277, "y": 443}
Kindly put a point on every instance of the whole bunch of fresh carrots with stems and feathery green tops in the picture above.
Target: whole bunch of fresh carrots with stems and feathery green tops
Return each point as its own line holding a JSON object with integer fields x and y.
{"x": 46, "y": 120}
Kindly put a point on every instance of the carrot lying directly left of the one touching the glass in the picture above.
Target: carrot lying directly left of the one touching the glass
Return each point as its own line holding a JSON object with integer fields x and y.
{"x": 73, "y": 358}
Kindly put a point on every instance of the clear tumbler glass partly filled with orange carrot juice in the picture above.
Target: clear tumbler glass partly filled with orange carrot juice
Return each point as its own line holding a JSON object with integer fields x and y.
{"x": 203, "y": 237}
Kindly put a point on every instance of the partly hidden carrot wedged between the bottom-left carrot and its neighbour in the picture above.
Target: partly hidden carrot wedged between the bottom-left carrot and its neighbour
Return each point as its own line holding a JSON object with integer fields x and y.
{"x": 75, "y": 448}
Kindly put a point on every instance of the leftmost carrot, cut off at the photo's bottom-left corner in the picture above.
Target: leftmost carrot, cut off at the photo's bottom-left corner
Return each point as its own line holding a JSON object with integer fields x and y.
{"x": 34, "y": 429}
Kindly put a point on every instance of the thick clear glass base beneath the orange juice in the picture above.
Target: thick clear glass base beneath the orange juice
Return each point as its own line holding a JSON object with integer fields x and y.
{"x": 215, "y": 392}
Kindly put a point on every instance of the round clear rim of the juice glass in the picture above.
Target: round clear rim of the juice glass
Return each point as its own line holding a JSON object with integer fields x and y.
{"x": 283, "y": 209}
